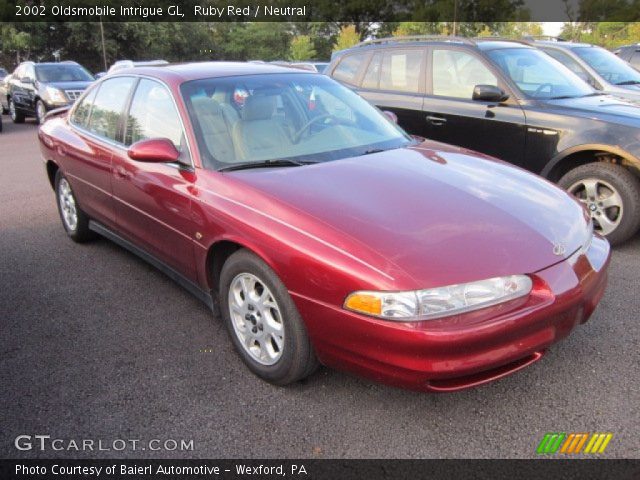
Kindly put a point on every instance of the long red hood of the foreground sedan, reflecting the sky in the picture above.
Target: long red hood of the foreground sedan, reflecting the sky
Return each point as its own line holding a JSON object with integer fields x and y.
{"x": 435, "y": 208}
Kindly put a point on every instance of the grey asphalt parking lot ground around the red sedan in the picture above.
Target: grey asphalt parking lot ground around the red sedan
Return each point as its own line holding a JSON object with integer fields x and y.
{"x": 96, "y": 344}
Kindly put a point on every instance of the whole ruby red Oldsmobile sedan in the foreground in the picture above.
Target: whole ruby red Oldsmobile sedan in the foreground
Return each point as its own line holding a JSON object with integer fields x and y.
{"x": 323, "y": 232}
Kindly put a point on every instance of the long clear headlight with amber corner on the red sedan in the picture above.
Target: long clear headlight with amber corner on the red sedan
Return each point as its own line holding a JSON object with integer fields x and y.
{"x": 439, "y": 302}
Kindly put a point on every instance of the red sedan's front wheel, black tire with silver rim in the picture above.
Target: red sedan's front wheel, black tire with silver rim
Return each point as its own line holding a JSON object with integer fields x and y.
{"x": 280, "y": 363}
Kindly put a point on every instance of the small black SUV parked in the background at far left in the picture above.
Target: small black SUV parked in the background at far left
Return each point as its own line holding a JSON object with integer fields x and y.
{"x": 35, "y": 88}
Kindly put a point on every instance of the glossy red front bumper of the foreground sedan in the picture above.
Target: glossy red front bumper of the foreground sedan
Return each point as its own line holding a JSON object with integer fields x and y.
{"x": 468, "y": 350}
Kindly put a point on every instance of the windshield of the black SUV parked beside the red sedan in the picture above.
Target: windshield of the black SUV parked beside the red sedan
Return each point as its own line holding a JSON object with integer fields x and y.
{"x": 538, "y": 75}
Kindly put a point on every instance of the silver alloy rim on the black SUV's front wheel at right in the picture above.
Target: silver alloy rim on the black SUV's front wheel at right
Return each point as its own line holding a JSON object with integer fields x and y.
{"x": 603, "y": 202}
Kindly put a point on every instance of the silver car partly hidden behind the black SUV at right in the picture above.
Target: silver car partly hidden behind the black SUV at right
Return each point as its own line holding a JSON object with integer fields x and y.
{"x": 599, "y": 67}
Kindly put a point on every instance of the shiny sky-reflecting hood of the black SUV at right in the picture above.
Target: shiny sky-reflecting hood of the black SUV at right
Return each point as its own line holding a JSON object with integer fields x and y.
{"x": 607, "y": 108}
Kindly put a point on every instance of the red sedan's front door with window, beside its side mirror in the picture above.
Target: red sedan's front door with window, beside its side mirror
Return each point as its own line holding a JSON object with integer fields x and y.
{"x": 152, "y": 200}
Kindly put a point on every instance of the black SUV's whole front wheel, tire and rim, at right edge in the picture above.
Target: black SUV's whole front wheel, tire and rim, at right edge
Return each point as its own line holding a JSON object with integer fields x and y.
{"x": 614, "y": 203}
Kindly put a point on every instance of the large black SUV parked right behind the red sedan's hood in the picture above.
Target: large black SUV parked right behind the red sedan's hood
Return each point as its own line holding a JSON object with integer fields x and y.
{"x": 514, "y": 102}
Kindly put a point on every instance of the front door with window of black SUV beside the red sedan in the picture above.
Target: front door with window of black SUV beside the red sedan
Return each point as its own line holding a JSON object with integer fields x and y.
{"x": 450, "y": 115}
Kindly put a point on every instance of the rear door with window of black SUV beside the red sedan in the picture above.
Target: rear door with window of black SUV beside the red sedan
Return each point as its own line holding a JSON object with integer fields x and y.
{"x": 394, "y": 81}
